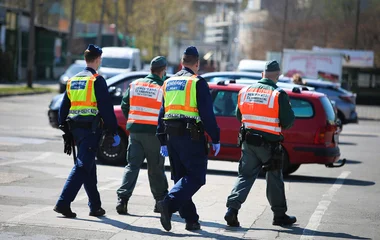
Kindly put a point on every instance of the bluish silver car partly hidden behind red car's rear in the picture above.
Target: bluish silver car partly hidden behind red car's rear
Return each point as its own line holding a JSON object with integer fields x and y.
{"x": 345, "y": 101}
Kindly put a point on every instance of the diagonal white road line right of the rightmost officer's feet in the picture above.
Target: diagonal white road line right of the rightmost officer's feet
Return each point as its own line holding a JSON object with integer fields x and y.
{"x": 315, "y": 219}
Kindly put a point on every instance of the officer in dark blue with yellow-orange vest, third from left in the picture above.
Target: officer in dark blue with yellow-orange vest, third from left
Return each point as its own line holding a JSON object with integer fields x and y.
{"x": 186, "y": 112}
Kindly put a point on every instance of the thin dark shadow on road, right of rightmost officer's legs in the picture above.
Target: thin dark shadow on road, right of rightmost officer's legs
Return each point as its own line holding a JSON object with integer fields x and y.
{"x": 327, "y": 180}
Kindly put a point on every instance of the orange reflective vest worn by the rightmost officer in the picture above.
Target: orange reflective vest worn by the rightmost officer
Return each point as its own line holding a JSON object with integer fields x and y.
{"x": 260, "y": 109}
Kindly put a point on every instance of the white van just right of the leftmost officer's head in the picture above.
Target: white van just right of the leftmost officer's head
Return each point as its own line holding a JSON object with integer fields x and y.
{"x": 116, "y": 60}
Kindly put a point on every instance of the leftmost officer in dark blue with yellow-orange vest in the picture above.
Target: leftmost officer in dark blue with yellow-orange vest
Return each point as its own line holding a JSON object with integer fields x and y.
{"x": 86, "y": 103}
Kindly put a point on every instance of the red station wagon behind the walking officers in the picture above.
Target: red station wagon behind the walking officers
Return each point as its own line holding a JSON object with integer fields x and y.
{"x": 312, "y": 139}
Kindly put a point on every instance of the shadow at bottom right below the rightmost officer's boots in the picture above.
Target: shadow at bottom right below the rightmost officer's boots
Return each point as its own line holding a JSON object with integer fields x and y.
{"x": 300, "y": 231}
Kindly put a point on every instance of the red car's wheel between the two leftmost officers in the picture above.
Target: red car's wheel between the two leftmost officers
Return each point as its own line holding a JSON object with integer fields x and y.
{"x": 114, "y": 155}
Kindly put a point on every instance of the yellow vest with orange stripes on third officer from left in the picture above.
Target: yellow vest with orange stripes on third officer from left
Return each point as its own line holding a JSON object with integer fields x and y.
{"x": 181, "y": 97}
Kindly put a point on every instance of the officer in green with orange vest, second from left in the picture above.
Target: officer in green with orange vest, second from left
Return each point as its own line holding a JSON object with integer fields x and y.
{"x": 141, "y": 105}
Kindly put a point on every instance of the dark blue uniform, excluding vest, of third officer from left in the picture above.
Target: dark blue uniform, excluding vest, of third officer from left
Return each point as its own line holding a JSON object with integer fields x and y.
{"x": 188, "y": 157}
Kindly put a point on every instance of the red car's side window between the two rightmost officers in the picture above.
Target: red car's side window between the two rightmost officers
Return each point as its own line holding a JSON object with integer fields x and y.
{"x": 225, "y": 103}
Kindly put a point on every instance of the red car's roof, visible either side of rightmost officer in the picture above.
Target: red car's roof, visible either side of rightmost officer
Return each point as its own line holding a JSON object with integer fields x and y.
{"x": 238, "y": 86}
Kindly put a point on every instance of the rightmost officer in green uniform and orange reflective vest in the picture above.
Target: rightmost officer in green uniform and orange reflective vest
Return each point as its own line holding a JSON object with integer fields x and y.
{"x": 264, "y": 109}
